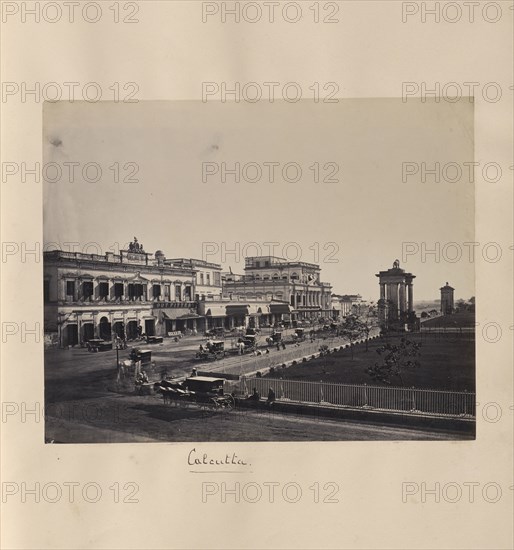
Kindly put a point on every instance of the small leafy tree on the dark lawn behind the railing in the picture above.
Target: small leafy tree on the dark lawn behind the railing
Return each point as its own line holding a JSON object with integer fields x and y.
{"x": 396, "y": 359}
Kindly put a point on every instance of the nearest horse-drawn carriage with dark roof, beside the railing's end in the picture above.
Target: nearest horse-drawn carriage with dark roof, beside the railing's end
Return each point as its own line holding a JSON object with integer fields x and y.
{"x": 202, "y": 390}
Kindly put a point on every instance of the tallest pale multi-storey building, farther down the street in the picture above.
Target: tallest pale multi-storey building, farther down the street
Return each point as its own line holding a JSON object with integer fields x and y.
{"x": 296, "y": 284}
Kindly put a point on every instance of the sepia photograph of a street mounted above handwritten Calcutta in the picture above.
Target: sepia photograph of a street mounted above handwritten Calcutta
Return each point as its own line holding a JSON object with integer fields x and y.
{"x": 229, "y": 271}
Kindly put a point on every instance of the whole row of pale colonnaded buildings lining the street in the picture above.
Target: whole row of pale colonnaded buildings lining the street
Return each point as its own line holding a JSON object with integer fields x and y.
{"x": 89, "y": 296}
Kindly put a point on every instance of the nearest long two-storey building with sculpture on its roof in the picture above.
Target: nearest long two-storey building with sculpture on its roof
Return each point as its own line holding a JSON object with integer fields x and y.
{"x": 90, "y": 296}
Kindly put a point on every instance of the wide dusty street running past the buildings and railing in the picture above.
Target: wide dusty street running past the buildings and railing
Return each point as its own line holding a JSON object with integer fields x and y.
{"x": 82, "y": 403}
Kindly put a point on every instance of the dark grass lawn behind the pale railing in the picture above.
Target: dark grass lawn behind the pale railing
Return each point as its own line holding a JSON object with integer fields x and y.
{"x": 447, "y": 361}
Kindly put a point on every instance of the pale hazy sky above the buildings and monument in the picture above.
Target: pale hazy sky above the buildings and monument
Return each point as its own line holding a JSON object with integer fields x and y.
{"x": 367, "y": 214}
